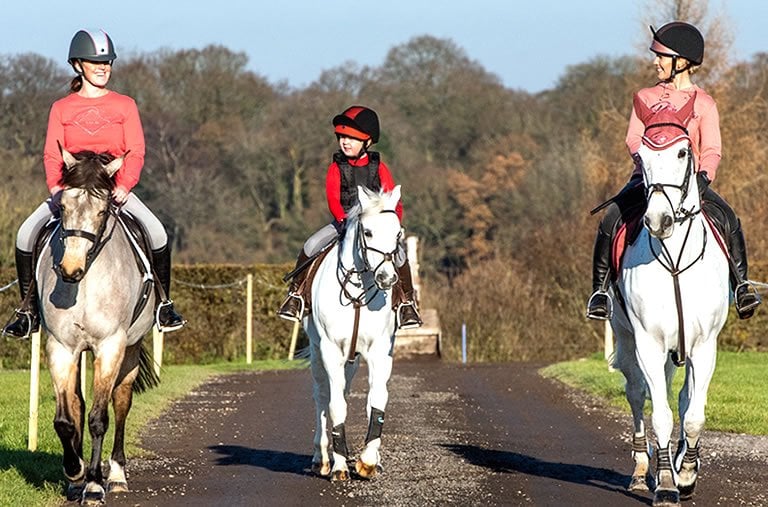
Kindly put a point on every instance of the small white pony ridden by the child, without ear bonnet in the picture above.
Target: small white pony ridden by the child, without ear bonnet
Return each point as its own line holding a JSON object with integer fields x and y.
{"x": 352, "y": 316}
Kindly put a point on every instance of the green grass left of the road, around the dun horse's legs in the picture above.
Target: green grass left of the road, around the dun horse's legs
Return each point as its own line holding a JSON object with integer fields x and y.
{"x": 37, "y": 476}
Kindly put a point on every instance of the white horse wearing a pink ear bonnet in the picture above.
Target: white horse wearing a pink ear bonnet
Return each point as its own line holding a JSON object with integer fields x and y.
{"x": 675, "y": 290}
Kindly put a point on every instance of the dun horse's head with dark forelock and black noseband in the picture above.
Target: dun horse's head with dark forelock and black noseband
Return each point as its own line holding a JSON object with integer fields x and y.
{"x": 88, "y": 183}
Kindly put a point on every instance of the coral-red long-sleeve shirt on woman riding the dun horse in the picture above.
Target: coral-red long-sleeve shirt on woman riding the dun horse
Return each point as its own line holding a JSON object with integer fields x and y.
{"x": 106, "y": 124}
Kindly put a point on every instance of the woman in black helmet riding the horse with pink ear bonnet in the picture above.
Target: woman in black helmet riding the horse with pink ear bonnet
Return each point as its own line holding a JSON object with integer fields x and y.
{"x": 679, "y": 50}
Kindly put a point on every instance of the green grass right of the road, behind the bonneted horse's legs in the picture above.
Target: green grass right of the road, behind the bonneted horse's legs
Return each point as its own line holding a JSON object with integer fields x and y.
{"x": 737, "y": 395}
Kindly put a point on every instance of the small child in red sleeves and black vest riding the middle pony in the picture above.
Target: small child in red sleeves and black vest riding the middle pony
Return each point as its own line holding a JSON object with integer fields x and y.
{"x": 357, "y": 128}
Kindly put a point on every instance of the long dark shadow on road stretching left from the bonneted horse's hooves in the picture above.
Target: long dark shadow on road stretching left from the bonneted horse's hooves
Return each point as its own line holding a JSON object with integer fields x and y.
{"x": 511, "y": 462}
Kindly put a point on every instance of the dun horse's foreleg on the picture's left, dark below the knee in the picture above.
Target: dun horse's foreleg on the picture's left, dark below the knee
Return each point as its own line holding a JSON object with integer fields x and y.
{"x": 69, "y": 419}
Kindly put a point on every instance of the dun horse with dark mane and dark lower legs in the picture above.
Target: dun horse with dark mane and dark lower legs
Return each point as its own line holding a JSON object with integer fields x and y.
{"x": 93, "y": 296}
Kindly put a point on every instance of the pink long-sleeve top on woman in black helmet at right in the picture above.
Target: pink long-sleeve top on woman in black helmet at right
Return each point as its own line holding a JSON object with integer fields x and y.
{"x": 703, "y": 129}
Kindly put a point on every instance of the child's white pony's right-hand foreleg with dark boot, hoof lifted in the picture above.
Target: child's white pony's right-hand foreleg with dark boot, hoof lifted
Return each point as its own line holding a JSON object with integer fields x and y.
{"x": 379, "y": 371}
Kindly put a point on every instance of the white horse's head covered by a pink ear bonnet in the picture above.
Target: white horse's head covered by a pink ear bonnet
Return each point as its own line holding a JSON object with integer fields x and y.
{"x": 668, "y": 167}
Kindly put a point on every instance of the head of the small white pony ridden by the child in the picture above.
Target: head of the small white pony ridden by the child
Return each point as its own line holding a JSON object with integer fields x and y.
{"x": 378, "y": 233}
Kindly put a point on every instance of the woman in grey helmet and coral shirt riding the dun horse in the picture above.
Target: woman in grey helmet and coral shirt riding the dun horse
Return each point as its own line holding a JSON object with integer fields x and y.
{"x": 95, "y": 119}
